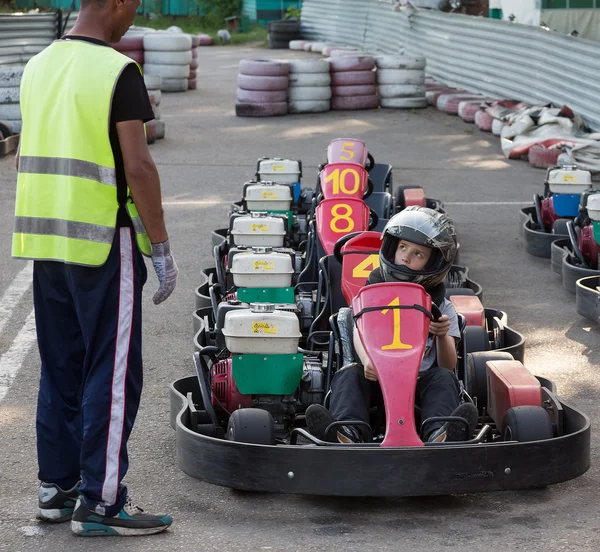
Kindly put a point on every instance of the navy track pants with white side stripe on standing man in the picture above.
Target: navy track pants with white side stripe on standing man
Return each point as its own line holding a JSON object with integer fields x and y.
{"x": 89, "y": 329}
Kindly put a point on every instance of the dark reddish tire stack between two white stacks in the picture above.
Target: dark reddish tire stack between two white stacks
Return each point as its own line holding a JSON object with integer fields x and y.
{"x": 353, "y": 83}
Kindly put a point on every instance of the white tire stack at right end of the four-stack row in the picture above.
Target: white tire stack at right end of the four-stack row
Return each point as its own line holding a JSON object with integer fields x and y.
{"x": 401, "y": 81}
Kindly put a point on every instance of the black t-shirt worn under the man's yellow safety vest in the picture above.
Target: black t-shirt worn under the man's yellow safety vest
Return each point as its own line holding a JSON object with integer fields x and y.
{"x": 130, "y": 103}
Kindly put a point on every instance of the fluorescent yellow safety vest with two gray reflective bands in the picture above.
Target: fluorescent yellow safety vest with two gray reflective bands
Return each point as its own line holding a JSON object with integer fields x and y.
{"x": 66, "y": 206}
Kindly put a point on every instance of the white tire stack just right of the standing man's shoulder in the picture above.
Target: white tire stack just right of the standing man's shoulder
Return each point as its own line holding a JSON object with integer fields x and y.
{"x": 168, "y": 55}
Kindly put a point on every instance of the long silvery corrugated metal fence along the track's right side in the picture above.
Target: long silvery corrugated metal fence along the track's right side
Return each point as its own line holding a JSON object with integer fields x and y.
{"x": 493, "y": 57}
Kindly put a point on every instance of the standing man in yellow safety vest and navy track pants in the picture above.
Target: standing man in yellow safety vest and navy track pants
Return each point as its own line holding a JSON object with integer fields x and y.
{"x": 88, "y": 205}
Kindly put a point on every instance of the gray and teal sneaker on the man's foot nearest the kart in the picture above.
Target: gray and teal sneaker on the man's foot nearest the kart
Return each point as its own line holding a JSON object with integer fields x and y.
{"x": 131, "y": 521}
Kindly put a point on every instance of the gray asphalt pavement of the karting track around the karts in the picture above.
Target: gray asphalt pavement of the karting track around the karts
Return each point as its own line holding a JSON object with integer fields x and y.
{"x": 207, "y": 156}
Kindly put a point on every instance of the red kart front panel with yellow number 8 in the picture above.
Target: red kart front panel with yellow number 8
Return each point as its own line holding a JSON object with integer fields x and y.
{"x": 336, "y": 218}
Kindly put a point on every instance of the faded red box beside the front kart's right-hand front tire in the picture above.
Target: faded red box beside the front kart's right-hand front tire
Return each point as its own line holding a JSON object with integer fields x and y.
{"x": 510, "y": 384}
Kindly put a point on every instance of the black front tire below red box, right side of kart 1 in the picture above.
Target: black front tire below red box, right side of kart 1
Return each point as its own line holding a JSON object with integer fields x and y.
{"x": 526, "y": 423}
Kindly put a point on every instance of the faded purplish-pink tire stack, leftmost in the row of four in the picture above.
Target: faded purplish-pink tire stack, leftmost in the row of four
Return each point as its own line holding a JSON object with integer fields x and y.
{"x": 262, "y": 88}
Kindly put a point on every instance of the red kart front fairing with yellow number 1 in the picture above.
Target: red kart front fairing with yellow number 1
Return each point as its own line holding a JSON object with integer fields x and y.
{"x": 396, "y": 350}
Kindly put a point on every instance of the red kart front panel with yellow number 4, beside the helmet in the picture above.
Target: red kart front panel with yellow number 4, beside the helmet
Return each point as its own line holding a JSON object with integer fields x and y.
{"x": 360, "y": 256}
